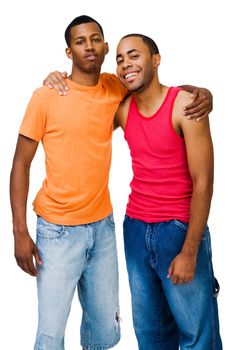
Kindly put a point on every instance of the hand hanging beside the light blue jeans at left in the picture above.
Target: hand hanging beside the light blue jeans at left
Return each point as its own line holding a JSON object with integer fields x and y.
{"x": 25, "y": 250}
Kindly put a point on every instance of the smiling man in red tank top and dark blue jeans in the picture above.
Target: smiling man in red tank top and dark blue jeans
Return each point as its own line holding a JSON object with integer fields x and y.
{"x": 167, "y": 240}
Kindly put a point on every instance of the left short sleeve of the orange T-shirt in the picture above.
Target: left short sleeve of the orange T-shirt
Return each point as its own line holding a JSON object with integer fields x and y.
{"x": 34, "y": 121}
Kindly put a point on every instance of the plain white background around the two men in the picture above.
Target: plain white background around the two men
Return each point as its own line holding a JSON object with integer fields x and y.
{"x": 196, "y": 40}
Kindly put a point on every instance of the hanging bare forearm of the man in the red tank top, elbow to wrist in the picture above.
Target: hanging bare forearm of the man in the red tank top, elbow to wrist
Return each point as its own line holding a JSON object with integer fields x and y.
{"x": 199, "y": 212}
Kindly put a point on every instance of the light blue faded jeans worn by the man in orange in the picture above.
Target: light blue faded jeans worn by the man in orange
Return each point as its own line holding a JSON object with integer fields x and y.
{"x": 82, "y": 257}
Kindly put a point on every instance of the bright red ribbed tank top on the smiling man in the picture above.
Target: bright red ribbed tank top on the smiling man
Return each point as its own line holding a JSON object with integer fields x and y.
{"x": 161, "y": 188}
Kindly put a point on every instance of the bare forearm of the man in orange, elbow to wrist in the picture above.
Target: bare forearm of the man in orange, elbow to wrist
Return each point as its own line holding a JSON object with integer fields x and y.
{"x": 19, "y": 187}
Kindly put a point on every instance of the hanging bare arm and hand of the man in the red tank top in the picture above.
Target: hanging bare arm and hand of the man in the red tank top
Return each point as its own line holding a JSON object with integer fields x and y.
{"x": 200, "y": 160}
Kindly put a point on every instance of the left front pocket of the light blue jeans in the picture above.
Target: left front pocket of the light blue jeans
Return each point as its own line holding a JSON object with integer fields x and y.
{"x": 47, "y": 230}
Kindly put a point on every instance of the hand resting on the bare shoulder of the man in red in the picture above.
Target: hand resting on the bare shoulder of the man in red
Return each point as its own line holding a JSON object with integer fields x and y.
{"x": 201, "y": 106}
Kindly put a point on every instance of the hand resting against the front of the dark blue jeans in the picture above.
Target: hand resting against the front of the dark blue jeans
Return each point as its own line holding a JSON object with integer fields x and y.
{"x": 182, "y": 268}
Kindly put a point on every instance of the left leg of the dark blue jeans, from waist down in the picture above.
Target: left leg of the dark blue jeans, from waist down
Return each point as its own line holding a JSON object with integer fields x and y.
{"x": 154, "y": 324}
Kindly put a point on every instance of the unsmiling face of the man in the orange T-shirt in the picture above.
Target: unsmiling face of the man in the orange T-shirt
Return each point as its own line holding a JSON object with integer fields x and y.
{"x": 87, "y": 47}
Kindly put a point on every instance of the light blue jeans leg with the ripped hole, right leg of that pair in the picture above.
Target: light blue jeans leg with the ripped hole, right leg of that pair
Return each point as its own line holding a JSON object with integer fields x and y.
{"x": 98, "y": 288}
